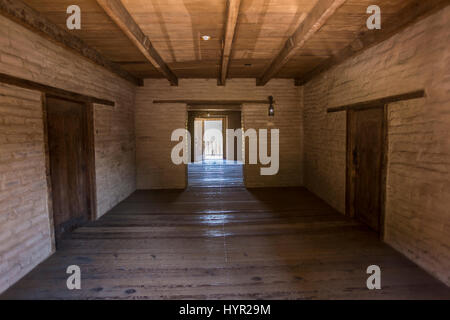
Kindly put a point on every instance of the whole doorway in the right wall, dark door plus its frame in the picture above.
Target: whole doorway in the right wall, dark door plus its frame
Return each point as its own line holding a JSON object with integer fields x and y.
{"x": 366, "y": 166}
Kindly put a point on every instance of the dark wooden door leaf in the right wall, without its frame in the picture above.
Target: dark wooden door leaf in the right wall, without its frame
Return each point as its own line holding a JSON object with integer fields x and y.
{"x": 367, "y": 158}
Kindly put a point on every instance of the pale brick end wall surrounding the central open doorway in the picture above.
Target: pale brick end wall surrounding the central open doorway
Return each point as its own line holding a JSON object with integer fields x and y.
{"x": 153, "y": 118}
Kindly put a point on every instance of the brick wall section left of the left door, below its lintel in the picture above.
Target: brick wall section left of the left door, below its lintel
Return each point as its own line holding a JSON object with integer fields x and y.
{"x": 24, "y": 218}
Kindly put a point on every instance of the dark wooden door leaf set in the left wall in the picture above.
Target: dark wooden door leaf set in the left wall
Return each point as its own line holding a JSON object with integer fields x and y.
{"x": 67, "y": 133}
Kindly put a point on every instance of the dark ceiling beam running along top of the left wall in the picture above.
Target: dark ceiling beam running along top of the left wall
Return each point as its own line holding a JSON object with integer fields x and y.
{"x": 32, "y": 19}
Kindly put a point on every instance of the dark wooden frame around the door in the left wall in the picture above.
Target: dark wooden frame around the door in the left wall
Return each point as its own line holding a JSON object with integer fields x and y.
{"x": 90, "y": 160}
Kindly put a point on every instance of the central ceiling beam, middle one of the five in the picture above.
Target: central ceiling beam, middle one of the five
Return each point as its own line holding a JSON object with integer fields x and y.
{"x": 230, "y": 28}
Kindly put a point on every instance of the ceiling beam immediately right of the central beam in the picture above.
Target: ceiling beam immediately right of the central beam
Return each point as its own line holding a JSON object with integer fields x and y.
{"x": 314, "y": 21}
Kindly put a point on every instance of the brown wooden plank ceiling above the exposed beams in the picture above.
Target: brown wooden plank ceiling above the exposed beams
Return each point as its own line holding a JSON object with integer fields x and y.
{"x": 263, "y": 27}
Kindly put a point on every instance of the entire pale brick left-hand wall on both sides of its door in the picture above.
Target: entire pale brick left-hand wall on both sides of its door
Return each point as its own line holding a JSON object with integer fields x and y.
{"x": 23, "y": 207}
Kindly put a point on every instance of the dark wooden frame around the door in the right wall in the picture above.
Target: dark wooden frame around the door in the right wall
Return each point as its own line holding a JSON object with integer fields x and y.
{"x": 350, "y": 185}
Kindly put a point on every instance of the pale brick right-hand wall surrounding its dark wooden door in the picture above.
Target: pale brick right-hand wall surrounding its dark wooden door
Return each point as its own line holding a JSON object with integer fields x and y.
{"x": 418, "y": 185}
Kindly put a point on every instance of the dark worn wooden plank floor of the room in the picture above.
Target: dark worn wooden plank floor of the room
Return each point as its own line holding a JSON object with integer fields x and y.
{"x": 225, "y": 243}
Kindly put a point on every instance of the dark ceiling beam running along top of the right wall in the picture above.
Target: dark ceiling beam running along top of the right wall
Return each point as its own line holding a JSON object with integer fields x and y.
{"x": 415, "y": 11}
